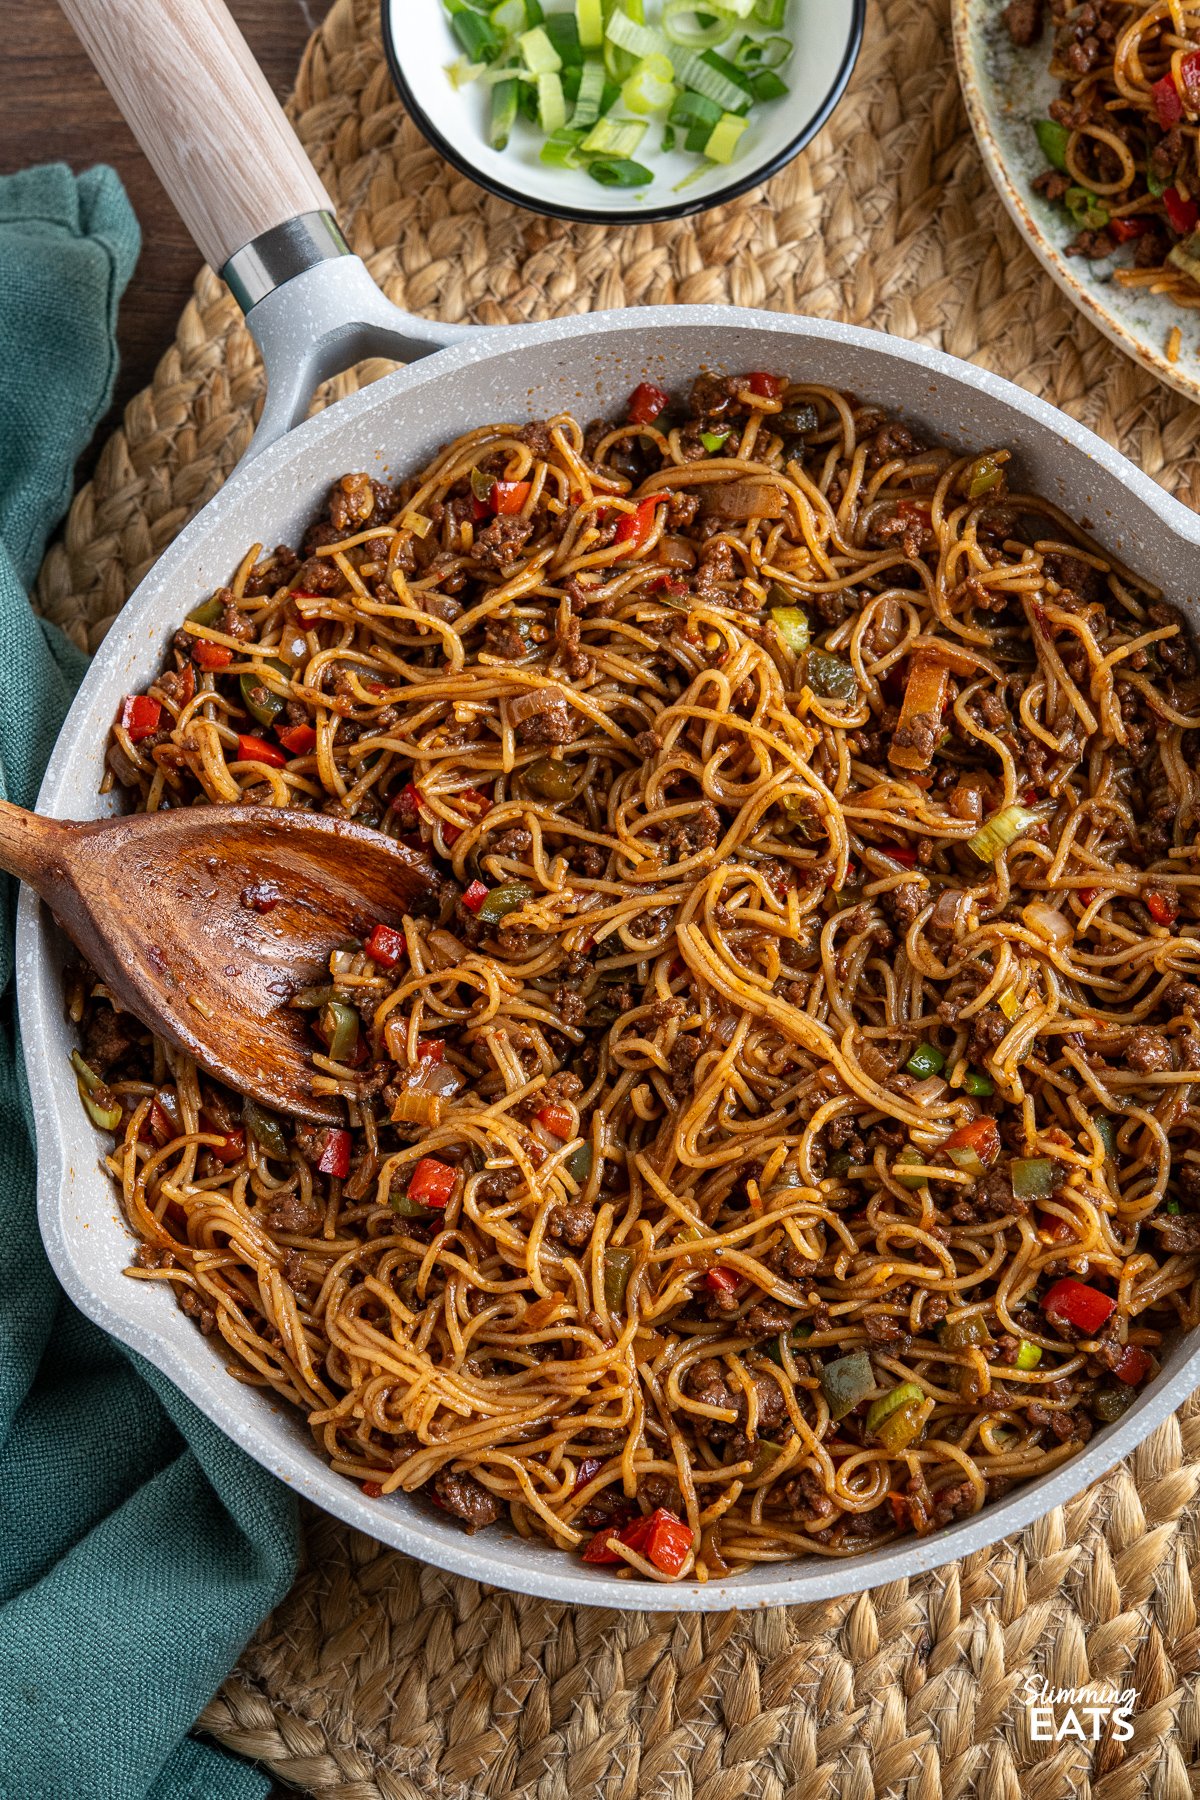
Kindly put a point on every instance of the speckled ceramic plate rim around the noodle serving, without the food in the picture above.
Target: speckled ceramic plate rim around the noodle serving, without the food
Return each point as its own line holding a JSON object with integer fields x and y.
{"x": 1007, "y": 91}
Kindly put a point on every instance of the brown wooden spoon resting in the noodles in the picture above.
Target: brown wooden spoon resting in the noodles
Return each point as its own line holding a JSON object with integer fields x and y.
{"x": 204, "y": 922}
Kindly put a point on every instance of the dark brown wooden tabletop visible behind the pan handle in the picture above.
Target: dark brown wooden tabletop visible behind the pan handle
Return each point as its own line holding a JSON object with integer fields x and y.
{"x": 53, "y": 109}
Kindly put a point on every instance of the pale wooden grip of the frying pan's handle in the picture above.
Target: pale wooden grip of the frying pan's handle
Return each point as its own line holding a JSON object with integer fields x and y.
{"x": 204, "y": 114}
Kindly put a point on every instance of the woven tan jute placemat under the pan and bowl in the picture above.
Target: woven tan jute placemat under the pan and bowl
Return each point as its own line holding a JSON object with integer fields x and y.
{"x": 382, "y": 1680}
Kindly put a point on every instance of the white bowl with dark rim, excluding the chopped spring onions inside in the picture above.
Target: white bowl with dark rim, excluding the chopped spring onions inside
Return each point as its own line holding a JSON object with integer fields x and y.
{"x": 420, "y": 48}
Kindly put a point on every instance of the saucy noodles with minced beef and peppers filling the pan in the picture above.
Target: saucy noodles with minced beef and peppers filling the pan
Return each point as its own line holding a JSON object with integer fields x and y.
{"x": 810, "y": 993}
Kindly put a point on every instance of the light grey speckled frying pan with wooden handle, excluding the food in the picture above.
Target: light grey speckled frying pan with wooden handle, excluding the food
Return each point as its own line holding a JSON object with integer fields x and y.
{"x": 258, "y": 211}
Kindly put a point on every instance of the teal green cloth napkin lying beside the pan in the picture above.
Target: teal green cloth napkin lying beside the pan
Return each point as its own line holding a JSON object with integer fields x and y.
{"x": 139, "y": 1547}
